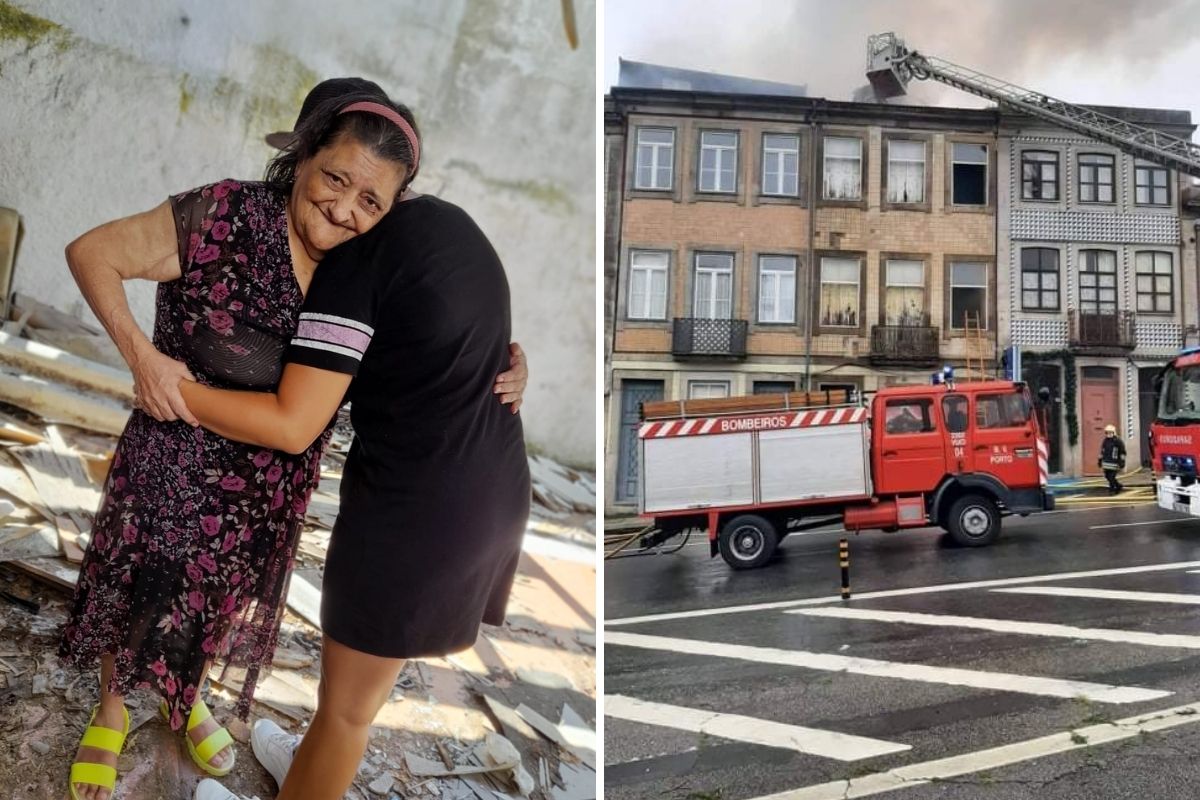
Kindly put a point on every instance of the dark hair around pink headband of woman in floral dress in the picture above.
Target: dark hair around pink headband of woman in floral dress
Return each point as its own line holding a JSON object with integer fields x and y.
{"x": 326, "y": 124}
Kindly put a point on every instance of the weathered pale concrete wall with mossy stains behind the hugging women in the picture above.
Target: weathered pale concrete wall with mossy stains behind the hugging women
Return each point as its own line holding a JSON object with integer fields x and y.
{"x": 109, "y": 107}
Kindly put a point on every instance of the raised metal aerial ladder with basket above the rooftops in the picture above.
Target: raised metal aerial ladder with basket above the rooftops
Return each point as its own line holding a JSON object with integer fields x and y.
{"x": 891, "y": 67}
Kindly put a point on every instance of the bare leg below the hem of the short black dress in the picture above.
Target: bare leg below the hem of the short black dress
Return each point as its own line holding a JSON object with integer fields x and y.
{"x": 353, "y": 688}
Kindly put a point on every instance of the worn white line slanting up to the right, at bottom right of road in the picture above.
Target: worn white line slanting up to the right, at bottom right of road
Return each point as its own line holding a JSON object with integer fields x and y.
{"x": 943, "y": 769}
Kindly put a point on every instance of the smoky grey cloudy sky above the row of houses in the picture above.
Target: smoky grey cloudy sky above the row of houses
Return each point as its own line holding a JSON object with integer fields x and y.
{"x": 1107, "y": 52}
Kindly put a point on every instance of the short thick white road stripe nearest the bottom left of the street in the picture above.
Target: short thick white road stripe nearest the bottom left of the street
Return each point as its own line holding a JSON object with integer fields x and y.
{"x": 829, "y": 744}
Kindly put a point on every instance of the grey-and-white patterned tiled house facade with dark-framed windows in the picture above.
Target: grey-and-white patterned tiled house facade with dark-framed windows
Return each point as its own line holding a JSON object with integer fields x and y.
{"x": 1120, "y": 267}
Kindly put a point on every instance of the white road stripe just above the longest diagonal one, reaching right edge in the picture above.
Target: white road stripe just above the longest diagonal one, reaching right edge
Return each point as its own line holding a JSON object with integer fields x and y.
{"x": 1009, "y": 627}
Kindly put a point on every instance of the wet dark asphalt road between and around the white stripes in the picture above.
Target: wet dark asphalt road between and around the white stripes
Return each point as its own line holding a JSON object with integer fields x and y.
{"x": 935, "y": 720}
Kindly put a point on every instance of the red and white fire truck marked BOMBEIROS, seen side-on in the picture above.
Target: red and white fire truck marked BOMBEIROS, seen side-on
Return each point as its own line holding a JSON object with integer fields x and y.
{"x": 957, "y": 456}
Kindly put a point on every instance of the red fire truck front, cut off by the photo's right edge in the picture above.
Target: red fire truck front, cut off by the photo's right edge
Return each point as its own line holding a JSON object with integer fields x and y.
{"x": 1175, "y": 435}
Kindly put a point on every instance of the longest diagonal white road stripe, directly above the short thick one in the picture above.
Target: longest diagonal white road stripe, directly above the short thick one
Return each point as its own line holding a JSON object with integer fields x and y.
{"x": 950, "y": 676}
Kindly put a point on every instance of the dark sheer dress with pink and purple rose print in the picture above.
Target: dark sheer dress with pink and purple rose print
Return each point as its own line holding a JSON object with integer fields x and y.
{"x": 196, "y": 536}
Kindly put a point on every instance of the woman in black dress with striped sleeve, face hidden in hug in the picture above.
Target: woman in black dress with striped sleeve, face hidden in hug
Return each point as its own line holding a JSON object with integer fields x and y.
{"x": 436, "y": 489}
